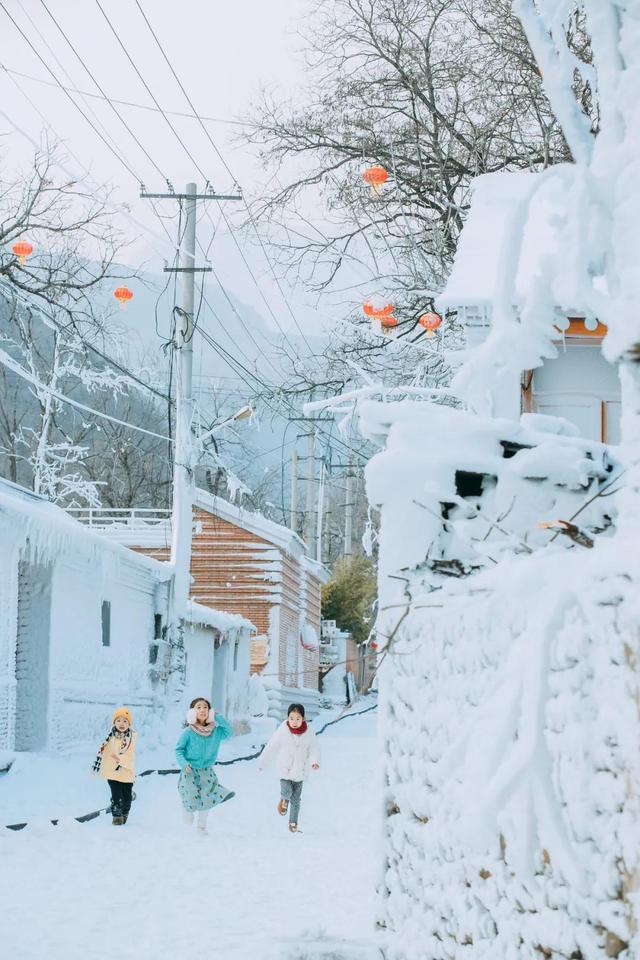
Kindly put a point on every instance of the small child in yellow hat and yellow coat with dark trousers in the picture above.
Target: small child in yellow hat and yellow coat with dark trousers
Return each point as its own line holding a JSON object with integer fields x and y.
{"x": 116, "y": 762}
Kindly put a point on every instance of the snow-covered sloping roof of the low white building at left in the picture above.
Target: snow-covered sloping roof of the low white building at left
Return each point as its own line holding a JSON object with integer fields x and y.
{"x": 48, "y": 530}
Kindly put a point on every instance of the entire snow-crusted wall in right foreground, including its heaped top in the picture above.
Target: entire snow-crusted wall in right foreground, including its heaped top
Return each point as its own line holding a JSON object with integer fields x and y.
{"x": 508, "y": 691}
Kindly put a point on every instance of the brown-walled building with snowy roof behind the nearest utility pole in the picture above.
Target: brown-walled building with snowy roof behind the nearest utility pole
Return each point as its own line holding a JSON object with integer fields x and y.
{"x": 242, "y": 563}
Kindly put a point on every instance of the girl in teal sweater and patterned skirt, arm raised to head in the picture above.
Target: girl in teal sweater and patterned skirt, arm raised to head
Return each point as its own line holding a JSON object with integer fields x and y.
{"x": 196, "y": 752}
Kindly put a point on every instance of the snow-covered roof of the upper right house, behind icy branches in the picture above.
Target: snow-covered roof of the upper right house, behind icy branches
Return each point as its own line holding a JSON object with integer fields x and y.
{"x": 492, "y": 230}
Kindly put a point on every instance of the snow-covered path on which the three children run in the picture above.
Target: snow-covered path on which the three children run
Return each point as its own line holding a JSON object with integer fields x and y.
{"x": 248, "y": 891}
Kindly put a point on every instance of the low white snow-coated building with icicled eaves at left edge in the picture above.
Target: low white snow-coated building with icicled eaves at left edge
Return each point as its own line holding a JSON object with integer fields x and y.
{"x": 78, "y": 623}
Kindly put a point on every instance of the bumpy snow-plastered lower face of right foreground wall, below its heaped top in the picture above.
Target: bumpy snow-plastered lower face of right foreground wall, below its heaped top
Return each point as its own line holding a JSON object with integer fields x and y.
{"x": 511, "y": 743}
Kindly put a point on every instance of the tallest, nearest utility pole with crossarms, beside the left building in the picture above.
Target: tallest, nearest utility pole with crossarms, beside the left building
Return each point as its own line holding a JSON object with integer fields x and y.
{"x": 184, "y": 456}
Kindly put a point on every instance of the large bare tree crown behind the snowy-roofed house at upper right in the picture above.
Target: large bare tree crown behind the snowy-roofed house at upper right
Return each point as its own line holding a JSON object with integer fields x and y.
{"x": 435, "y": 91}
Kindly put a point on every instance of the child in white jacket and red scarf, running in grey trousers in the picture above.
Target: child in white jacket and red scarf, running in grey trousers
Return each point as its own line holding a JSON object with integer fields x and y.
{"x": 297, "y": 749}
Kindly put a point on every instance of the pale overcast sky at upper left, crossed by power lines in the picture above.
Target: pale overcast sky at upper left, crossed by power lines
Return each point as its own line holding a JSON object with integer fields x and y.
{"x": 222, "y": 52}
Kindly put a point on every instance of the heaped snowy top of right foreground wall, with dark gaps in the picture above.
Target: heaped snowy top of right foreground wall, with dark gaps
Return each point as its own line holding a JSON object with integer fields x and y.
{"x": 495, "y": 483}
